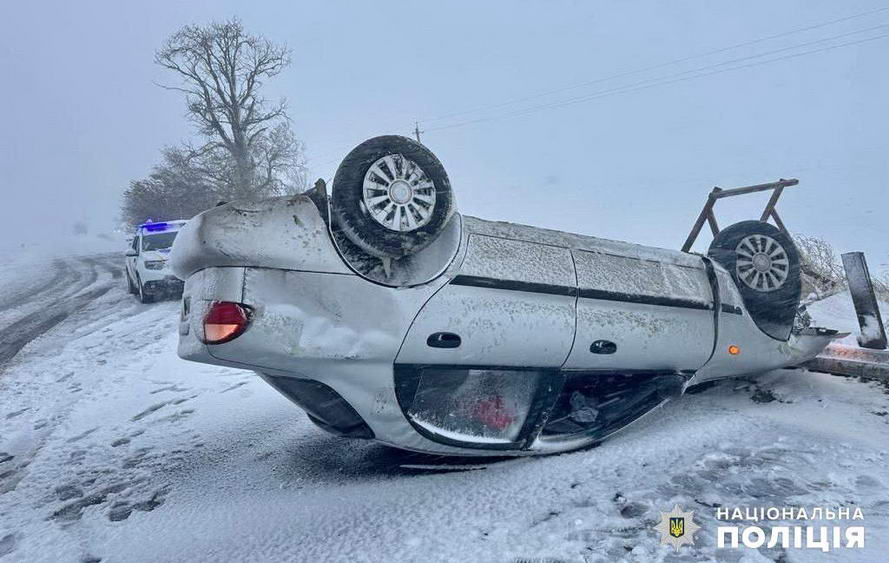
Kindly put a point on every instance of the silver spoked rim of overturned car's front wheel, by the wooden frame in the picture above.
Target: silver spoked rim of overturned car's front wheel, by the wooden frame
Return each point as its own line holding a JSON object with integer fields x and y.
{"x": 762, "y": 263}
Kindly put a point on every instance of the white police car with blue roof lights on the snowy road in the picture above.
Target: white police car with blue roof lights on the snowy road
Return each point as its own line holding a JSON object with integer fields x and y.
{"x": 147, "y": 268}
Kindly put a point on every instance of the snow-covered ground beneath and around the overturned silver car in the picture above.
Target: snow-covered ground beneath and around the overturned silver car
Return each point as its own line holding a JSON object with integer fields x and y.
{"x": 112, "y": 448}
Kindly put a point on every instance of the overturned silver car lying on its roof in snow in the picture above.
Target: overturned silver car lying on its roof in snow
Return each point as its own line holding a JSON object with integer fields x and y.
{"x": 385, "y": 314}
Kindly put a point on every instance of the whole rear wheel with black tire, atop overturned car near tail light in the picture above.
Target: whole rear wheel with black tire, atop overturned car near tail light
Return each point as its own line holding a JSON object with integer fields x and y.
{"x": 391, "y": 196}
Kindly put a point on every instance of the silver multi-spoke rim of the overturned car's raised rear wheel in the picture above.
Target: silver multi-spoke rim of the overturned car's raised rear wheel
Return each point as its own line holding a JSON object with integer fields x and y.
{"x": 397, "y": 193}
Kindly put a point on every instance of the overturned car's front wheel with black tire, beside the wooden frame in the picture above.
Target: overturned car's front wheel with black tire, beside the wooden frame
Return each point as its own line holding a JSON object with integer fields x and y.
{"x": 765, "y": 265}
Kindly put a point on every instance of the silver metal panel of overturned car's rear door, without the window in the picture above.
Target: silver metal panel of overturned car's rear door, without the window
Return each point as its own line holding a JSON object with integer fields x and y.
{"x": 511, "y": 304}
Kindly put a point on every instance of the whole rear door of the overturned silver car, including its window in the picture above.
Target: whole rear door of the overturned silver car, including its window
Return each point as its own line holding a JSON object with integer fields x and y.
{"x": 481, "y": 359}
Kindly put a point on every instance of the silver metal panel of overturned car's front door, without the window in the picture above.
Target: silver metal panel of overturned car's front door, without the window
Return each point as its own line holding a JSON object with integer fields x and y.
{"x": 641, "y": 314}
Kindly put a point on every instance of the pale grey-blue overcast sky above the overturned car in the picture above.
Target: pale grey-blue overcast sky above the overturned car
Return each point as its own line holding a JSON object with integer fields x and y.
{"x": 82, "y": 116}
